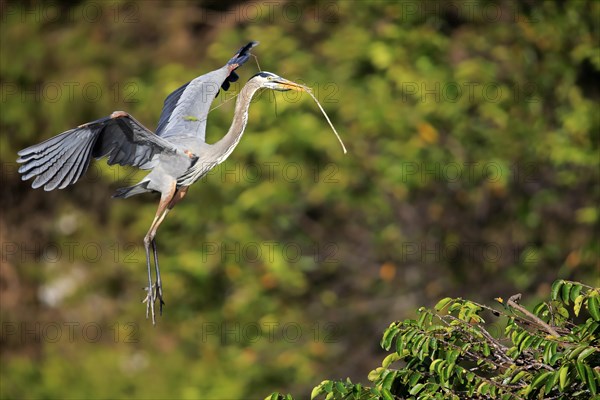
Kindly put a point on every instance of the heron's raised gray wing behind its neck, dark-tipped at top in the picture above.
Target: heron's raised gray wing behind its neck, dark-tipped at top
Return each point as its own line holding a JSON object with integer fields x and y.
{"x": 185, "y": 110}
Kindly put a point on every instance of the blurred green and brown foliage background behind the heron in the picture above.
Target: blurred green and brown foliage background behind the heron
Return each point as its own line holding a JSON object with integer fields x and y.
{"x": 473, "y": 160}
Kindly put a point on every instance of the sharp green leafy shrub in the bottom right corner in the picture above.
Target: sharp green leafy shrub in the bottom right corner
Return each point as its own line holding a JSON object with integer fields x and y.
{"x": 451, "y": 352}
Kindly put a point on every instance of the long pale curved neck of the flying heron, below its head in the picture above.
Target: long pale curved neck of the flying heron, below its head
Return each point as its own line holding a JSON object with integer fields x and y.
{"x": 240, "y": 117}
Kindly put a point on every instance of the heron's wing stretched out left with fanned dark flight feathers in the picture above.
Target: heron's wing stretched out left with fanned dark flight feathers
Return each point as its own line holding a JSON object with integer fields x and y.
{"x": 63, "y": 159}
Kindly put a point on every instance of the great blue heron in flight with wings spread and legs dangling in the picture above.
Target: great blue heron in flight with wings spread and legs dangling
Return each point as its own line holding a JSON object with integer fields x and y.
{"x": 177, "y": 154}
